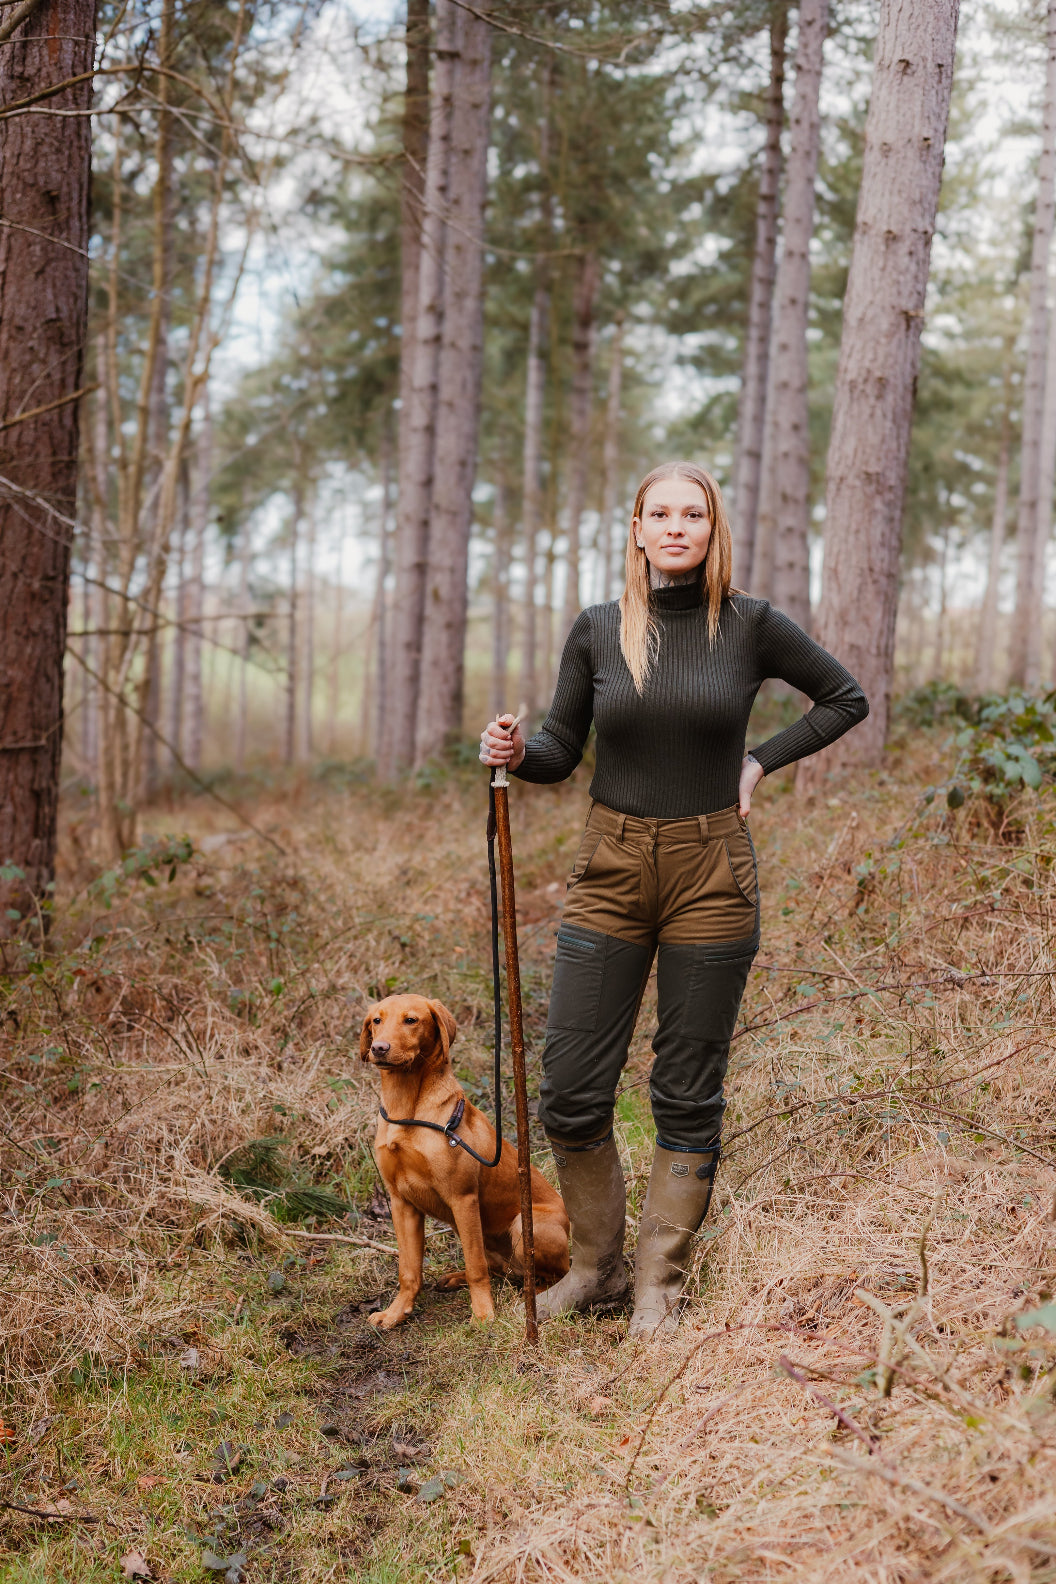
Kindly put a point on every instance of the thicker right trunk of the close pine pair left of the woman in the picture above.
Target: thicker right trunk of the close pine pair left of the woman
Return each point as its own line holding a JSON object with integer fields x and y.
{"x": 458, "y": 397}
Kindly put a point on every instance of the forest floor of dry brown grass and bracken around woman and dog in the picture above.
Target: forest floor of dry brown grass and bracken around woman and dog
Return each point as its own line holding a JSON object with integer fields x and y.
{"x": 864, "y": 1384}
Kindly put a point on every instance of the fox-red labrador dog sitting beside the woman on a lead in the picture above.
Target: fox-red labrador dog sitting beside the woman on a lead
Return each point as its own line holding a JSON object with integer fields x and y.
{"x": 409, "y": 1041}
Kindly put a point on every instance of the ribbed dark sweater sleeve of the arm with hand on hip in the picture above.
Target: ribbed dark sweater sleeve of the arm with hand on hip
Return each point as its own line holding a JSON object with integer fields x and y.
{"x": 786, "y": 652}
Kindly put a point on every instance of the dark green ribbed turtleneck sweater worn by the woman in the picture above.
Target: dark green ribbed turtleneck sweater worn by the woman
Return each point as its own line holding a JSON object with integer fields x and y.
{"x": 677, "y": 750}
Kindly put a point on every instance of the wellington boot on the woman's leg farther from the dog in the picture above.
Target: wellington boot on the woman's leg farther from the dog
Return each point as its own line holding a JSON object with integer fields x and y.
{"x": 677, "y": 1205}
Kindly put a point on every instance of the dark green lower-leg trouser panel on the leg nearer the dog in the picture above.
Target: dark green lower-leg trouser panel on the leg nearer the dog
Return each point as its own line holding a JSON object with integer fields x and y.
{"x": 598, "y": 989}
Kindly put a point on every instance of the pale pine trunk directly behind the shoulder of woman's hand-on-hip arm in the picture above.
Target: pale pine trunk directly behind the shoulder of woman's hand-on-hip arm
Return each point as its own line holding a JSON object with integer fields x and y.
{"x": 792, "y": 419}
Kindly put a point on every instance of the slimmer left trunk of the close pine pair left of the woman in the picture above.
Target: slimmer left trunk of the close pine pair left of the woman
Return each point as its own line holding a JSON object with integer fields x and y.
{"x": 419, "y": 417}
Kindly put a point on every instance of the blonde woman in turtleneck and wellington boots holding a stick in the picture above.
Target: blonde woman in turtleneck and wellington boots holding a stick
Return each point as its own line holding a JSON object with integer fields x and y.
{"x": 667, "y": 867}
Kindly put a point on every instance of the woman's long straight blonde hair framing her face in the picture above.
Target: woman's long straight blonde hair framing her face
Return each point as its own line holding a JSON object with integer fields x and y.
{"x": 639, "y": 633}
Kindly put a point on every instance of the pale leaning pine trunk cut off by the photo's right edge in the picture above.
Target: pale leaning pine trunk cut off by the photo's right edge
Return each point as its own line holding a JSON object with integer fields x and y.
{"x": 1027, "y": 639}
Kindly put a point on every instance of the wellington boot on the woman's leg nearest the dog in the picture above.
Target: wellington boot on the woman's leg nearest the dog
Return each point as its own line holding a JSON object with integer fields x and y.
{"x": 596, "y": 1198}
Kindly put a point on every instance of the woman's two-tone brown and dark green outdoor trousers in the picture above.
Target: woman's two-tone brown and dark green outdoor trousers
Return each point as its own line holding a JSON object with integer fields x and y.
{"x": 686, "y": 893}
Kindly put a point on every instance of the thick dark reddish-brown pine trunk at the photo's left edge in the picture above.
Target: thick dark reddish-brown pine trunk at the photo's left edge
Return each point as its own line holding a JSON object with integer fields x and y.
{"x": 45, "y": 173}
